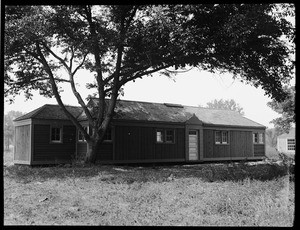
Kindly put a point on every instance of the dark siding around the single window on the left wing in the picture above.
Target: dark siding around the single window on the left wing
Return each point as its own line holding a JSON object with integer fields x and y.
{"x": 54, "y": 152}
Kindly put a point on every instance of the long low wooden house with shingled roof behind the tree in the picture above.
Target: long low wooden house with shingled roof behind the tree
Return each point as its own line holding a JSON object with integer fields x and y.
{"x": 140, "y": 132}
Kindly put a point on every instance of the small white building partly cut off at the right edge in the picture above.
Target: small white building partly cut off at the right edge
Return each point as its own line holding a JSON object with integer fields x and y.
{"x": 286, "y": 142}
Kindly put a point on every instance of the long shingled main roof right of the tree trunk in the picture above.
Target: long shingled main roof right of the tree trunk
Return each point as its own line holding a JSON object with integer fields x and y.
{"x": 148, "y": 111}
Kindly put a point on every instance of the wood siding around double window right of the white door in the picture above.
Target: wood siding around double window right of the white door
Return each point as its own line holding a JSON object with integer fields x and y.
{"x": 240, "y": 145}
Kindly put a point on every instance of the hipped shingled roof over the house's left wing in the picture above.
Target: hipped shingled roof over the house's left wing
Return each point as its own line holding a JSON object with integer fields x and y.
{"x": 51, "y": 112}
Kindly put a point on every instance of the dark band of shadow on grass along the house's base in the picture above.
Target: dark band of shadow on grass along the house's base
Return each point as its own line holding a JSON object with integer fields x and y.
{"x": 157, "y": 173}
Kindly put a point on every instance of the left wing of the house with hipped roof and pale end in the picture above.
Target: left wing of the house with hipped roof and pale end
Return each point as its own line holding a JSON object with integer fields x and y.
{"x": 45, "y": 136}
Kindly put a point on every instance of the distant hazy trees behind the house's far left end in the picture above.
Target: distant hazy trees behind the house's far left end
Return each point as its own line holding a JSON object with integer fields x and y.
{"x": 9, "y": 127}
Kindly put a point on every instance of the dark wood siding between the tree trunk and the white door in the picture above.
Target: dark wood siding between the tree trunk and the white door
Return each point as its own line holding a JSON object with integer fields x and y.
{"x": 139, "y": 143}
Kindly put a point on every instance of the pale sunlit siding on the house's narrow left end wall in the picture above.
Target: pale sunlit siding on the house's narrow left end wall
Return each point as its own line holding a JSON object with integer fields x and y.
{"x": 22, "y": 143}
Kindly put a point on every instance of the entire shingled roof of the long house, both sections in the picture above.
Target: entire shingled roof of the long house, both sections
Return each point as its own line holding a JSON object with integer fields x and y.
{"x": 147, "y": 111}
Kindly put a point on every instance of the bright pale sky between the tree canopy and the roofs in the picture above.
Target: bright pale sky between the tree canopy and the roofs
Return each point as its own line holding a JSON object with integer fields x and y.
{"x": 192, "y": 88}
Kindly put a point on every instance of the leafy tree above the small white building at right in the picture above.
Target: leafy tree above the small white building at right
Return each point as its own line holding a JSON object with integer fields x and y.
{"x": 287, "y": 110}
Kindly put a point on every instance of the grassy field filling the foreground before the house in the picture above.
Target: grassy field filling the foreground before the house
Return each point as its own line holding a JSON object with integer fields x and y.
{"x": 234, "y": 194}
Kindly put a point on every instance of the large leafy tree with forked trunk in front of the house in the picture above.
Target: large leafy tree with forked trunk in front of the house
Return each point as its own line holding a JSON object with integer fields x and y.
{"x": 119, "y": 44}
